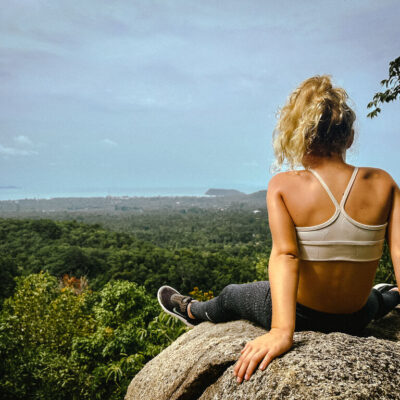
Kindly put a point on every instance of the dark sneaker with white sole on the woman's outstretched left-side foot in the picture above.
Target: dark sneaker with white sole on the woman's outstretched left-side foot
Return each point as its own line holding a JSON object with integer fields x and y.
{"x": 175, "y": 304}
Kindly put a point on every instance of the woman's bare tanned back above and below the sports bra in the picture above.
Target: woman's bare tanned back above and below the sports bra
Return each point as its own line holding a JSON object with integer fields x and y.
{"x": 336, "y": 286}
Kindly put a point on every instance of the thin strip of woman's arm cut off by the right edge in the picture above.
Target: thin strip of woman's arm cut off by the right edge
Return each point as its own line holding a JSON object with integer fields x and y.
{"x": 393, "y": 233}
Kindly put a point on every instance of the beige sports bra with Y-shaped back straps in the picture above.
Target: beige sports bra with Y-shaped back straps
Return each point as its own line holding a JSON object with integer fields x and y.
{"x": 341, "y": 237}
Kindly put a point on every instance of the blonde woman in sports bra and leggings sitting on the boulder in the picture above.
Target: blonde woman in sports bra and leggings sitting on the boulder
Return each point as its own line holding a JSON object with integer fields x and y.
{"x": 328, "y": 224}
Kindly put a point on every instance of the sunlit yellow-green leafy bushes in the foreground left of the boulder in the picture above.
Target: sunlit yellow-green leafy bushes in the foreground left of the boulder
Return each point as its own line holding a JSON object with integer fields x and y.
{"x": 60, "y": 340}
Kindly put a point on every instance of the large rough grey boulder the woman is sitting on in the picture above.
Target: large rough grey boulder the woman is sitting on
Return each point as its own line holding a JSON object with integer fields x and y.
{"x": 199, "y": 366}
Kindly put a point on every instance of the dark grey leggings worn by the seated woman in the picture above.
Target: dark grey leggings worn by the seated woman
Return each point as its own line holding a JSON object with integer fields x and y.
{"x": 252, "y": 301}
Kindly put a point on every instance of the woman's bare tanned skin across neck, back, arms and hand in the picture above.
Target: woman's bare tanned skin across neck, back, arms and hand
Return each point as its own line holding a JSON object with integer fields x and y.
{"x": 298, "y": 199}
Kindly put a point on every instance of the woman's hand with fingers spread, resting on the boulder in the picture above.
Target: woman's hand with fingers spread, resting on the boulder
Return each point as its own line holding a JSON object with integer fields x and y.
{"x": 262, "y": 349}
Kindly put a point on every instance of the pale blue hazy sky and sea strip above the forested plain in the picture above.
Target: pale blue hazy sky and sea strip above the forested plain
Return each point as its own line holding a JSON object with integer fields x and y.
{"x": 126, "y": 96}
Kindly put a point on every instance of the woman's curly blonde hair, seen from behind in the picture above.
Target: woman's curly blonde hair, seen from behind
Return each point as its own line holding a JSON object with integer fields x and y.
{"x": 315, "y": 120}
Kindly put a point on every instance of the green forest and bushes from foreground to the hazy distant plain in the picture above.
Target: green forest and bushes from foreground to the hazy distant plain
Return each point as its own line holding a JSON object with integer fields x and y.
{"x": 78, "y": 311}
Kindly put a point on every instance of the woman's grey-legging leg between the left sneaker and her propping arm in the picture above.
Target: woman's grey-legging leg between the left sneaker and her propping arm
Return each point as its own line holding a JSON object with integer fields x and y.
{"x": 251, "y": 301}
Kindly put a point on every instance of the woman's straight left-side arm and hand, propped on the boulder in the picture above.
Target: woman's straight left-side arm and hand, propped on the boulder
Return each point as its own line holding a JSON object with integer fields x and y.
{"x": 283, "y": 275}
